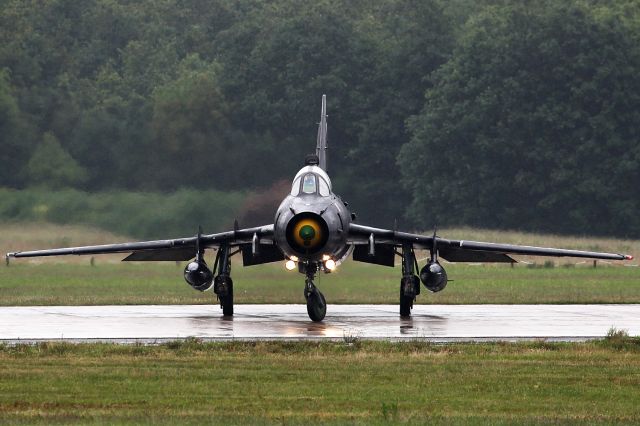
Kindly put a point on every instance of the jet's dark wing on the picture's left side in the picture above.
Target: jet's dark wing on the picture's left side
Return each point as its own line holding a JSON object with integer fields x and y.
{"x": 176, "y": 249}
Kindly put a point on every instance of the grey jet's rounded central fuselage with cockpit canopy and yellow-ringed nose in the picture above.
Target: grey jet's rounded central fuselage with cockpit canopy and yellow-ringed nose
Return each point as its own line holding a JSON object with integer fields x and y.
{"x": 311, "y": 224}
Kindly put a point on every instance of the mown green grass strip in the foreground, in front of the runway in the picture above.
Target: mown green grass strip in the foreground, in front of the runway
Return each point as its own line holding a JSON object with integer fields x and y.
{"x": 321, "y": 383}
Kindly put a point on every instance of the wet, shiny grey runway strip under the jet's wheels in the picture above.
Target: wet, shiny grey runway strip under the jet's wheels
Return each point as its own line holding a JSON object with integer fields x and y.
{"x": 438, "y": 323}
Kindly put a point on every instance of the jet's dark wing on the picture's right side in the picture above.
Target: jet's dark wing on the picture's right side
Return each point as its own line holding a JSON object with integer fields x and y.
{"x": 466, "y": 251}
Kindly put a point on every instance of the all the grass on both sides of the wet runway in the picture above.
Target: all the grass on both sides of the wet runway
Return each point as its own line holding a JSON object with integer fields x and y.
{"x": 350, "y": 382}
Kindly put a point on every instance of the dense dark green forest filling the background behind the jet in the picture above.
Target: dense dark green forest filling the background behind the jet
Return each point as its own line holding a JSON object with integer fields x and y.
{"x": 491, "y": 113}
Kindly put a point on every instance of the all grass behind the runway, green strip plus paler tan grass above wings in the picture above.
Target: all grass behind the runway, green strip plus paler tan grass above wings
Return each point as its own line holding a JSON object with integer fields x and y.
{"x": 72, "y": 280}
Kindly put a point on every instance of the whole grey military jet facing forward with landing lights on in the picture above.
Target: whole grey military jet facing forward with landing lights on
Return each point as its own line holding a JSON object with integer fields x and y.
{"x": 314, "y": 231}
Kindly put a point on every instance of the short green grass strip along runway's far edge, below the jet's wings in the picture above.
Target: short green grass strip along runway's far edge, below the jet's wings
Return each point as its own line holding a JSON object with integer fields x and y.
{"x": 82, "y": 284}
